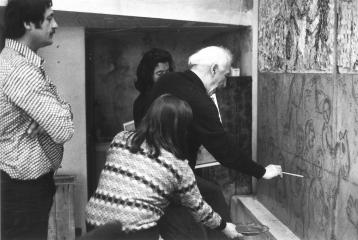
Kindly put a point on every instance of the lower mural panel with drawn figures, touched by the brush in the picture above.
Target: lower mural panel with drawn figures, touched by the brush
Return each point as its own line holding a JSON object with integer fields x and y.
{"x": 308, "y": 124}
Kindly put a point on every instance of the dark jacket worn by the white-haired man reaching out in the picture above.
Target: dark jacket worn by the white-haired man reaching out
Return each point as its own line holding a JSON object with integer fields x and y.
{"x": 206, "y": 128}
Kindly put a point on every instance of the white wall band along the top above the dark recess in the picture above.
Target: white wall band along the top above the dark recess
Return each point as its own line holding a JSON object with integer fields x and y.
{"x": 223, "y": 11}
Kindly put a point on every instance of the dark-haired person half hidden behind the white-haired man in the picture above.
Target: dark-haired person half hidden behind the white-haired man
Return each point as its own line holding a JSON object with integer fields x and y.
{"x": 155, "y": 63}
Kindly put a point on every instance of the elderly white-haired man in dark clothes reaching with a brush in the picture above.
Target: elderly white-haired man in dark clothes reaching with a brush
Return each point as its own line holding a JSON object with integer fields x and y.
{"x": 209, "y": 68}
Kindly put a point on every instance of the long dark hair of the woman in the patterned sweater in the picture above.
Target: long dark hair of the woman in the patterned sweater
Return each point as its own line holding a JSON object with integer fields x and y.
{"x": 164, "y": 126}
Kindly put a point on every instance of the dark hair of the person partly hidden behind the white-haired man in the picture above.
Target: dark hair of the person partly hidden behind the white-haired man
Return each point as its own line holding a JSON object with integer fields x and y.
{"x": 147, "y": 65}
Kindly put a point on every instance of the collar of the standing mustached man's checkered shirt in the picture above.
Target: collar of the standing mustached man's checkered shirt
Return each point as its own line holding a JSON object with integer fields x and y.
{"x": 25, "y": 51}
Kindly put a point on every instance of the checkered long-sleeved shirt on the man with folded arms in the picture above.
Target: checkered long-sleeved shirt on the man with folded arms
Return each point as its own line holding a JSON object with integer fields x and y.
{"x": 27, "y": 95}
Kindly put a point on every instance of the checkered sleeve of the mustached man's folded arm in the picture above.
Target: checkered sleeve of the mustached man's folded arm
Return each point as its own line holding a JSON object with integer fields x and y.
{"x": 28, "y": 88}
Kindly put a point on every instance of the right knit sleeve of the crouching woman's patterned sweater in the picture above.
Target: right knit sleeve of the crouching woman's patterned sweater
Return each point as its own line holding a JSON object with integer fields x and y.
{"x": 190, "y": 197}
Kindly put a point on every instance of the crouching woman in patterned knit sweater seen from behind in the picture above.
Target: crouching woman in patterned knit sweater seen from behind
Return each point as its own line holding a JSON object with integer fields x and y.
{"x": 147, "y": 169}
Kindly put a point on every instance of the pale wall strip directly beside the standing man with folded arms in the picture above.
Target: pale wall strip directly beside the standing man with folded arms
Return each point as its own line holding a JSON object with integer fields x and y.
{"x": 65, "y": 64}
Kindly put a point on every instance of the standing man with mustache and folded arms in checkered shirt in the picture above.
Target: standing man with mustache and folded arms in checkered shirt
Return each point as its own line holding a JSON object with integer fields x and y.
{"x": 35, "y": 121}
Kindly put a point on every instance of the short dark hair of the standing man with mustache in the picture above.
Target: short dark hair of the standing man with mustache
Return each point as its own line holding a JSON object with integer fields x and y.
{"x": 18, "y": 12}
